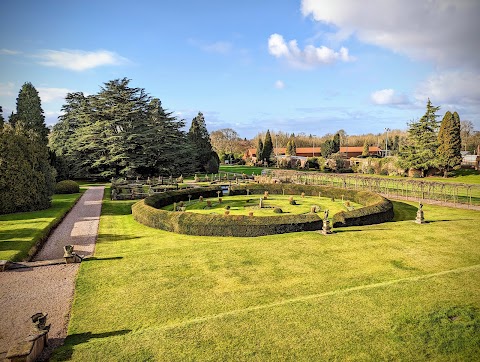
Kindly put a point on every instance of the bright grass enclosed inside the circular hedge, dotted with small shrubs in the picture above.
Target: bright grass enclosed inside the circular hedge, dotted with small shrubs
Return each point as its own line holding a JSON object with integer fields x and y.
{"x": 242, "y": 205}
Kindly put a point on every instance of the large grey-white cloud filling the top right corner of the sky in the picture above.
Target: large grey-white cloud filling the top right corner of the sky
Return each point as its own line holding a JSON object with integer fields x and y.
{"x": 442, "y": 31}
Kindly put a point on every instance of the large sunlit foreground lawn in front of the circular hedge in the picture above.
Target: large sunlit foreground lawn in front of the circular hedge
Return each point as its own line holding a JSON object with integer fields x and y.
{"x": 394, "y": 291}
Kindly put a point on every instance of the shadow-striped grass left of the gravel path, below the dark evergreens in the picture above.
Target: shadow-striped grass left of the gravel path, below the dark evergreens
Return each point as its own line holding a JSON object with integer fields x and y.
{"x": 19, "y": 232}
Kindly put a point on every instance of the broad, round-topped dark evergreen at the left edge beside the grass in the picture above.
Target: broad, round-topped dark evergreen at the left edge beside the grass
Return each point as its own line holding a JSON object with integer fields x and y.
{"x": 27, "y": 180}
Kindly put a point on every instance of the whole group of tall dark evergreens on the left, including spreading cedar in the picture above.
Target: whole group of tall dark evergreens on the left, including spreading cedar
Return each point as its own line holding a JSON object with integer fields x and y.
{"x": 119, "y": 132}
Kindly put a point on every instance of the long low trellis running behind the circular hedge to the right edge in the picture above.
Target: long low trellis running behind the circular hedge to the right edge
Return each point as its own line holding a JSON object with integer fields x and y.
{"x": 447, "y": 192}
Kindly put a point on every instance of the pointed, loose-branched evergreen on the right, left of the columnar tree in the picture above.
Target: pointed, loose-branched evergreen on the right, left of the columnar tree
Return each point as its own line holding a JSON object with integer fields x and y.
{"x": 420, "y": 150}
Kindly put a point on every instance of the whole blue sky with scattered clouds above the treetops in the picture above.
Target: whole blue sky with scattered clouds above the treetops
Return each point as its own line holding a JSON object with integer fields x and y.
{"x": 312, "y": 66}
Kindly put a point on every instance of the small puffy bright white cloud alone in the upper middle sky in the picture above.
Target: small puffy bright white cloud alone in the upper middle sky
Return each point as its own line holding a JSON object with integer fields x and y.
{"x": 309, "y": 57}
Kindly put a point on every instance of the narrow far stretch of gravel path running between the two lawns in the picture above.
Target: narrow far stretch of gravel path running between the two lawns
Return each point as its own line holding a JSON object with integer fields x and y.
{"x": 79, "y": 228}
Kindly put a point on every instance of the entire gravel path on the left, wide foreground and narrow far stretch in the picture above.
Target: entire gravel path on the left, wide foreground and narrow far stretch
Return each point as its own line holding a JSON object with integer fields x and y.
{"x": 49, "y": 289}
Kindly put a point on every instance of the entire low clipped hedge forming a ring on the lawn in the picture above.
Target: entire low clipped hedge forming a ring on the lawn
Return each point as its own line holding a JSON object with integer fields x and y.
{"x": 377, "y": 209}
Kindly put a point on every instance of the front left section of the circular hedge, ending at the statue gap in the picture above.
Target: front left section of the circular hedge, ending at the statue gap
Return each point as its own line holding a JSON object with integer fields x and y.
{"x": 222, "y": 225}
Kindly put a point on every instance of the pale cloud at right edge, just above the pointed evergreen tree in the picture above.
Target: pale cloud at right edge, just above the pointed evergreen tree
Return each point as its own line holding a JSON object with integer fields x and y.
{"x": 452, "y": 87}
